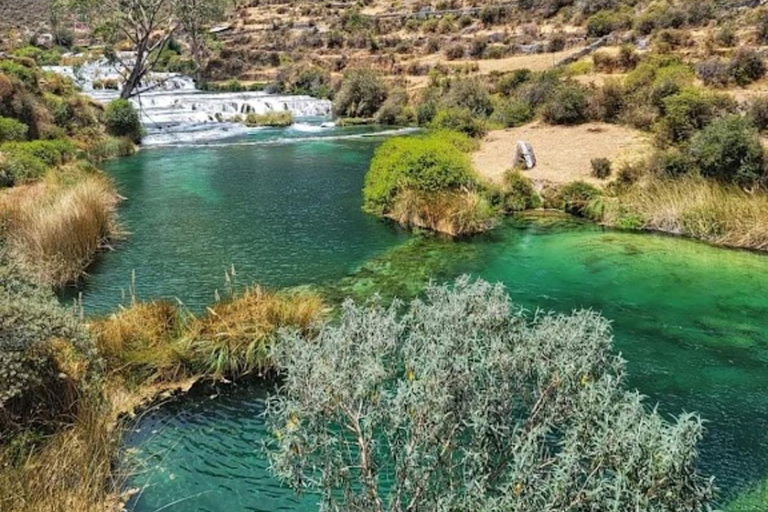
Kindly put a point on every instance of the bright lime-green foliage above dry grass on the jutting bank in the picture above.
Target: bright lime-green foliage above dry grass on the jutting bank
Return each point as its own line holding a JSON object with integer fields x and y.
{"x": 430, "y": 163}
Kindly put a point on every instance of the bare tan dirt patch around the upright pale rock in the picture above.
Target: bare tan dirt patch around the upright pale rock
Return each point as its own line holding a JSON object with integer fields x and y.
{"x": 563, "y": 153}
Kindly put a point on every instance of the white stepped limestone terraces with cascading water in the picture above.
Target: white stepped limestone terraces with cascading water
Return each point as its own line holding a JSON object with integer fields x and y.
{"x": 173, "y": 111}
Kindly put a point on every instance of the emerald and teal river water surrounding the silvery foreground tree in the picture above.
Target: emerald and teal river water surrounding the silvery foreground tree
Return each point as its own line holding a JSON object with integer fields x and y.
{"x": 691, "y": 320}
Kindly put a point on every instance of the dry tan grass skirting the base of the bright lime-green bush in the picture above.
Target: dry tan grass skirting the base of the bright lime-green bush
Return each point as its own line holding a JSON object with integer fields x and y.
{"x": 454, "y": 213}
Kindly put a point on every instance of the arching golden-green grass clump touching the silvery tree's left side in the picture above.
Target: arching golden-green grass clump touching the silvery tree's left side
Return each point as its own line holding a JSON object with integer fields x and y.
{"x": 235, "y": 337}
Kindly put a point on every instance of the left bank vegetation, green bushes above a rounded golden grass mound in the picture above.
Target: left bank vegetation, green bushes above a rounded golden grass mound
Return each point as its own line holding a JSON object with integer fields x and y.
{"x": 56, "y": 209}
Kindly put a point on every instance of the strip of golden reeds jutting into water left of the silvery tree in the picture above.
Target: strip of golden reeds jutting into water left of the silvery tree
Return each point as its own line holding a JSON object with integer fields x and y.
{"x": 160, "y": 342}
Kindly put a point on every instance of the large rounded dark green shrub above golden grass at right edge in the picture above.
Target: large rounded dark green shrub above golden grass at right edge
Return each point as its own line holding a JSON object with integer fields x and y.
{"x": 729, "y": 150}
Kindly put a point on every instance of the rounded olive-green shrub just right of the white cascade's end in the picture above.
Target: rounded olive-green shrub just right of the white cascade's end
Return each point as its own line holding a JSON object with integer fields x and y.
{"x": 362, "y": 94}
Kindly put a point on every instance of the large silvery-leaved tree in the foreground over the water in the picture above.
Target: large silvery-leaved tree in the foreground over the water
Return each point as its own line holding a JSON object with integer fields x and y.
{"x": 465, "y": 403}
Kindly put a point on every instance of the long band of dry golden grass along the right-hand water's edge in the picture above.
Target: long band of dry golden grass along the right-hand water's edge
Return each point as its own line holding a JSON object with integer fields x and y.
{"x": 697, "y": 208}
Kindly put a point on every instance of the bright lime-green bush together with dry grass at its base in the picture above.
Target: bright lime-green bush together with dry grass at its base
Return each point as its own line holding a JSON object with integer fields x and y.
{"x": 428, "y": 181}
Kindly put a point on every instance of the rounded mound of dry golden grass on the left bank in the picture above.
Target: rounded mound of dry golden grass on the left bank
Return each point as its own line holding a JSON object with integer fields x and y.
{"x": 56, "y": 229}
